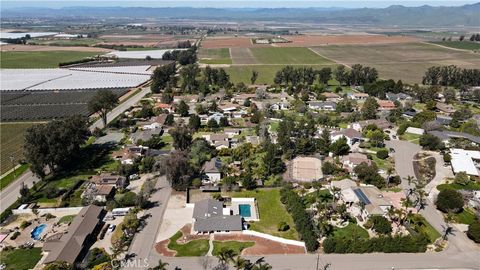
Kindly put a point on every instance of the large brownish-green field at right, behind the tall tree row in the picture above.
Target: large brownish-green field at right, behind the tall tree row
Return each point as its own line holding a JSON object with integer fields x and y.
{"x": 407, "y": 61}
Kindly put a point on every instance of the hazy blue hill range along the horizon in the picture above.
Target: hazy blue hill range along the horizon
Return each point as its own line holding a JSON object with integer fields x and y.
{"x": 467, "y": 15}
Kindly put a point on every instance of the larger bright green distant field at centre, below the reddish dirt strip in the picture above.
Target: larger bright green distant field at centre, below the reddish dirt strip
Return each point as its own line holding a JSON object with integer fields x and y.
{"x": 288, "y": 56}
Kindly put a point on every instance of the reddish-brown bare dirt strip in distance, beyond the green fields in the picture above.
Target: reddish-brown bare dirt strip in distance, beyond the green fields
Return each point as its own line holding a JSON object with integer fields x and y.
{"x": 318, "y": 40}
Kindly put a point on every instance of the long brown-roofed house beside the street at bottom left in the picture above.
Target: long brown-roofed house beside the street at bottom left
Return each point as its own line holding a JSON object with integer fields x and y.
{"x": 72, "y": 245}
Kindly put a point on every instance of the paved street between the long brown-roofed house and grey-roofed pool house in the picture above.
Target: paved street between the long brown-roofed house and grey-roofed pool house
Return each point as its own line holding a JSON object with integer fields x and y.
{"x": 144, "y": 241}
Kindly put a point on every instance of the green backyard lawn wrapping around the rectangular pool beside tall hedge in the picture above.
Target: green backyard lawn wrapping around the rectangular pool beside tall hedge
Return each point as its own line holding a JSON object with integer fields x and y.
{"x": 272, "y": 212}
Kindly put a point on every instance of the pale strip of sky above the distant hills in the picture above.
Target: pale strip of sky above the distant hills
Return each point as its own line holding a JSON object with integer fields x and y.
{"x": 229, "y": 3}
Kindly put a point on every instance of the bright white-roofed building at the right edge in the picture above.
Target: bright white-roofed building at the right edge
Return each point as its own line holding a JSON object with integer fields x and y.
{"x": 467, "y": 161}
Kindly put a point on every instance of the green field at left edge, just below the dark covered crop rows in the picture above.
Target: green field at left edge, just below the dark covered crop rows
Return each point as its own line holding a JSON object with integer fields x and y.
{"x": 11, "y": 143}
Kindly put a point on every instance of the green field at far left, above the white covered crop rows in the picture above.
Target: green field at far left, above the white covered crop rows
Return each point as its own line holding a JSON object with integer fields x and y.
{"x": 49, "y": 59}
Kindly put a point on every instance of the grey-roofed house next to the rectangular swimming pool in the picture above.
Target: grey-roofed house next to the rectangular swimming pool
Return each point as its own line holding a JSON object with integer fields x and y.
{"x": 209, "y": 216}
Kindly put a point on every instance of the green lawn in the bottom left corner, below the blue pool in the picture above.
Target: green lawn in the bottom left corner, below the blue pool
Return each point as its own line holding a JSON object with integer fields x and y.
{"x": 21, "y": 258}
